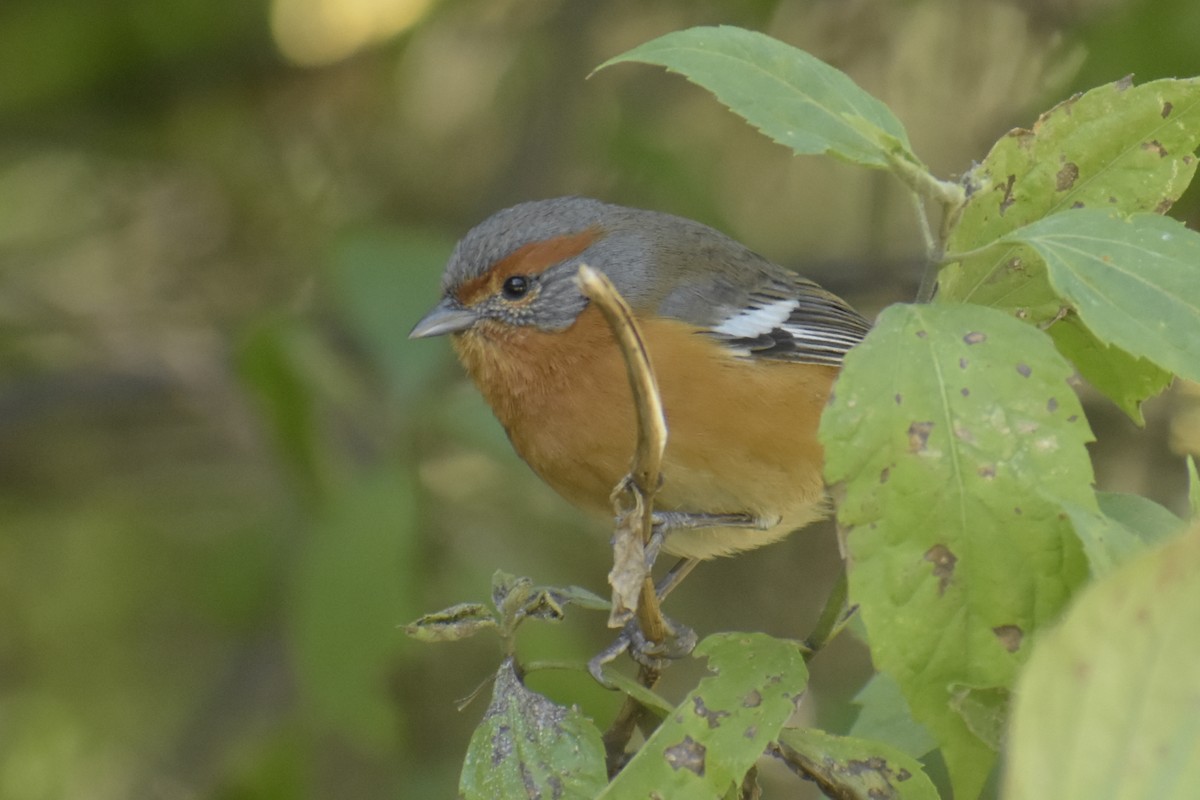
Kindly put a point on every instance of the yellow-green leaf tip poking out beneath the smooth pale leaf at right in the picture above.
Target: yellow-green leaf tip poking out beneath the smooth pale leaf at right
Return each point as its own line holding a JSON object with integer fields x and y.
{"x": 1123, "y": 378}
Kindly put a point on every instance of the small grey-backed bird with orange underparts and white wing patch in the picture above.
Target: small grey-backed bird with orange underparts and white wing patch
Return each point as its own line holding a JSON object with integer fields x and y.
{"x": 745, "y": 352}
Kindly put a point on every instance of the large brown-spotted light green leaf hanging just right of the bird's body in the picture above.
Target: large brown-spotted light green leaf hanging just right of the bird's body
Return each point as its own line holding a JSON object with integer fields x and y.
{"x": 957, "y": 437}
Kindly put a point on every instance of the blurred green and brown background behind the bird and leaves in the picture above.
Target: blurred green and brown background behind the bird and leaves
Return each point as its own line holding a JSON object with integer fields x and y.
{"x": 226, "y": 477}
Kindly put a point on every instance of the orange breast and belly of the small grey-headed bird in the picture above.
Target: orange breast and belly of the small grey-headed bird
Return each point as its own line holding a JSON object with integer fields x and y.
{"x": 742, "y": 432}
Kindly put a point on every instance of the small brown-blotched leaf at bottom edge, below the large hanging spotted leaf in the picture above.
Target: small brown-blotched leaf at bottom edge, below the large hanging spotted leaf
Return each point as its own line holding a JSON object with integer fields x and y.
{"x": 856, "y": 768}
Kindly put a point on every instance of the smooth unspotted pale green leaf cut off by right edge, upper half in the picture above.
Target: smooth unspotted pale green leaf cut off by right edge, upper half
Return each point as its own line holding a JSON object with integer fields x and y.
{"x": 1136, "y": 282}
